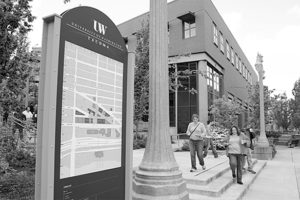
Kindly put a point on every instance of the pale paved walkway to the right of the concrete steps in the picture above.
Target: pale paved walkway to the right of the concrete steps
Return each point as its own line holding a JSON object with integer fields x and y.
{"x": 280, "y": 179}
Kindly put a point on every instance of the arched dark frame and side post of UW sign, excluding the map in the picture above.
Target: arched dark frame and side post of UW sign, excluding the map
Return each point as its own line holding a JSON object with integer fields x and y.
{"x": 57, "y": 31}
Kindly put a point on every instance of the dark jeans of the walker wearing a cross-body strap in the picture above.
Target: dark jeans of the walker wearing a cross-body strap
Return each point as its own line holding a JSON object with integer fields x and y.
{"x": 196, "y": 146}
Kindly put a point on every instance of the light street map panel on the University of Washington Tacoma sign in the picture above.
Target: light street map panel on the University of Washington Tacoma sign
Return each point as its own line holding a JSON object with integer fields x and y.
{"x": 91, "y": 128}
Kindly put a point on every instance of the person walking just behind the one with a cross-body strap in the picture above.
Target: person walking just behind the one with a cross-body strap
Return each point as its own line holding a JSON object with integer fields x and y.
{"x": 210, "y": 132}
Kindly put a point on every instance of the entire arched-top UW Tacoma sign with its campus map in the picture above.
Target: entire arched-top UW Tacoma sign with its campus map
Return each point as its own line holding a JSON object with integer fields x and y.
{"x": 81, "y": 124}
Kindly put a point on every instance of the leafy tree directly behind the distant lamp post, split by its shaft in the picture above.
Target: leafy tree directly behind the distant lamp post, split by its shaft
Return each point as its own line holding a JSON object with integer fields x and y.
{"x": 254, "y": 115}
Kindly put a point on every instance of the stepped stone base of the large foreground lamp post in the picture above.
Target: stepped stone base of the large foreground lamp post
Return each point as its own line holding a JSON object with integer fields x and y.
{"x": 157, "y": 185}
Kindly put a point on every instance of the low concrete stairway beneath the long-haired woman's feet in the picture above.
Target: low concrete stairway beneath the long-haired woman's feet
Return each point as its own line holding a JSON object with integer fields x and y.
{"x": 217, "y": 183}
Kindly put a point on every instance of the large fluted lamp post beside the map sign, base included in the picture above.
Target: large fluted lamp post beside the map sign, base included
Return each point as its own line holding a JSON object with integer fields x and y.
{"x": 158, "y": 176}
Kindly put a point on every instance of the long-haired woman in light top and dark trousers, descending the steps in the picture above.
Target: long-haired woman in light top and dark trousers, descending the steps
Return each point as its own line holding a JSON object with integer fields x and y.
{"x": 237, "y": 143}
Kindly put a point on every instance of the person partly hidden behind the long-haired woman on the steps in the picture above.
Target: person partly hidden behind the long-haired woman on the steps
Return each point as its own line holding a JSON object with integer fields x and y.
{"x": 251, "y": 135}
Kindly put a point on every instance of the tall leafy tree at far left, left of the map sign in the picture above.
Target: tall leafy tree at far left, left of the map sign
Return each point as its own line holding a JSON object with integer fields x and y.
{"x": 15, "y": 23}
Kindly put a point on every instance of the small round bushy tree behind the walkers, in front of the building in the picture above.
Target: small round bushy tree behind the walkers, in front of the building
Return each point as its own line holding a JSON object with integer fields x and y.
{"x": 225, "y": 112}
